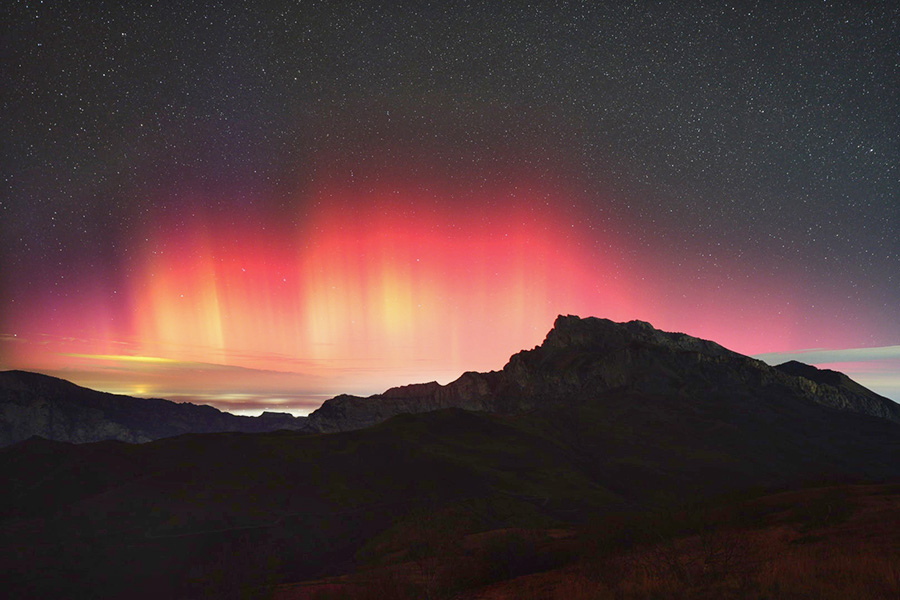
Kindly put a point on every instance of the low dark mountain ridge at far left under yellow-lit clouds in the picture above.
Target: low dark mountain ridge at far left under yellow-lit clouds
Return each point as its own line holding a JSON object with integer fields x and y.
{"x": 34, "y": 404}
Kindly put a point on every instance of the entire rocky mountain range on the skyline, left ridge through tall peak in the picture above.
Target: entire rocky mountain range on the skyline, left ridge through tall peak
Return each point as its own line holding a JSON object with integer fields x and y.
{"x": 580, "y": 359}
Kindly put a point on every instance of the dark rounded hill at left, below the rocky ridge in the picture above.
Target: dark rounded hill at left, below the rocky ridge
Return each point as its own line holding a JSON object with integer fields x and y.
{"x": 105, "y": 515}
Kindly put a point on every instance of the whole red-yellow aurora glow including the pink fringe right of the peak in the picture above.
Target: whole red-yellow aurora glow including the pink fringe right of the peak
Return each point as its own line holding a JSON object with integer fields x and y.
{"x": 377, "y": 289}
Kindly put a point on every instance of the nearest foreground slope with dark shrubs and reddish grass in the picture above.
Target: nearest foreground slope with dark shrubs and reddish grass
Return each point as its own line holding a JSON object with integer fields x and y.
{"x": 835, "y": 542}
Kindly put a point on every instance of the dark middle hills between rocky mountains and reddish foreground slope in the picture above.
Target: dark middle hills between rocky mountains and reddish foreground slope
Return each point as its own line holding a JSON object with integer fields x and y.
{"x": 218, "y": 514}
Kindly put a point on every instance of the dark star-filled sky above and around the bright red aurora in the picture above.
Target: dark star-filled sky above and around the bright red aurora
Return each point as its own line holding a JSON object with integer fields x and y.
{"x": 748, "y": 142}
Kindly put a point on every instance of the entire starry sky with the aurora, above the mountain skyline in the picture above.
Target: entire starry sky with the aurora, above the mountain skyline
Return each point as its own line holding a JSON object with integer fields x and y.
{"x": 260, "y": 205}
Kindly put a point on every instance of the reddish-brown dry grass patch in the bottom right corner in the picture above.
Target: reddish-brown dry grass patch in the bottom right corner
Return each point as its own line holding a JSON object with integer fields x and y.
{"x": 825, "y": 544}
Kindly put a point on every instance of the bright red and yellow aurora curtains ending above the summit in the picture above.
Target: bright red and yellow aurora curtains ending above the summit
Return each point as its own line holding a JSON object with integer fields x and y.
{"x": 366, "y": 283}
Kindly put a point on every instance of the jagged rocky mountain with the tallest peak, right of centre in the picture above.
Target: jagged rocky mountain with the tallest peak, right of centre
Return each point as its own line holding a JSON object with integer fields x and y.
{"x": 583, "y": 358}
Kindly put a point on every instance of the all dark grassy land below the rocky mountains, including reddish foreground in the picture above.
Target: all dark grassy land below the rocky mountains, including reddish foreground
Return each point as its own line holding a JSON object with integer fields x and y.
{"x": 621, "y": 496}
